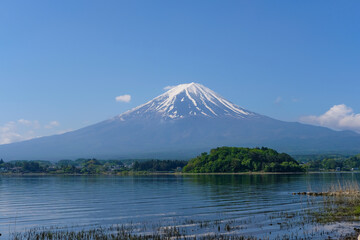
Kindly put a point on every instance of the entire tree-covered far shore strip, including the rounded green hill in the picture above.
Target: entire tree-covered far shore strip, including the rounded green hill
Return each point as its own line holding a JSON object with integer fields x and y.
{"x": 218, "y": 160}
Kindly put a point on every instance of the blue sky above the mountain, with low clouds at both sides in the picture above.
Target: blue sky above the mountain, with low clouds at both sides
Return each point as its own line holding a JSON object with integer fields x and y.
{"x": 62, "y": 63}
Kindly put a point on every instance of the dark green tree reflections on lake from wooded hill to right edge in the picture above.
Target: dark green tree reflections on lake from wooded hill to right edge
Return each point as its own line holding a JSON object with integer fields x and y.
{"x": 264, "y": 186}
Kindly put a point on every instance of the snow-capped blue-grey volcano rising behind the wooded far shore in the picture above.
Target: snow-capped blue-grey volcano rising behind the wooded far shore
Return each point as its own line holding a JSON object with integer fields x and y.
{"x": 182, "y": 122}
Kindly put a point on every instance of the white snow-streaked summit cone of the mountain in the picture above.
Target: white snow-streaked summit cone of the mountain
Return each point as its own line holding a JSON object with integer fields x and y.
{"x": 187, "y": 100}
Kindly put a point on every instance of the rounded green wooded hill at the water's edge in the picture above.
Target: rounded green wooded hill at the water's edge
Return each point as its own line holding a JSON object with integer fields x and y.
{"x": 233, "y": 159}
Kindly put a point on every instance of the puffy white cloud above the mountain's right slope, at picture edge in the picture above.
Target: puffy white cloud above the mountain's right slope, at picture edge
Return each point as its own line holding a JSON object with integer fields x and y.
{"x": 339, "y": 117}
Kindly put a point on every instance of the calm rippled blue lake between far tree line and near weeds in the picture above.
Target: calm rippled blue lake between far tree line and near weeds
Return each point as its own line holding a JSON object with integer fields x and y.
{"x": 253, "y": 205}
